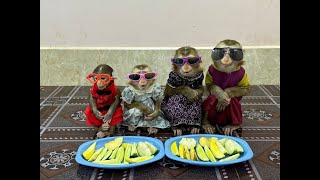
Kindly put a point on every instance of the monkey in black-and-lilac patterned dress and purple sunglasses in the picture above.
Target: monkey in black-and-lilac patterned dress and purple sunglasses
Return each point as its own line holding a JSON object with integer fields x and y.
{"x": 183, "y": 92}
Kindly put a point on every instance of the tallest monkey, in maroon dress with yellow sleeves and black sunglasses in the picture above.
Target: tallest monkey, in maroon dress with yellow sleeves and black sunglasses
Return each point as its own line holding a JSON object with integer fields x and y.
{"x": 227, "y": 82}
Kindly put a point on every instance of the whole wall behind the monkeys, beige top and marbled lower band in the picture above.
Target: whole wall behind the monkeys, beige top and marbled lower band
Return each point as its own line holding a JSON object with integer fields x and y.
{"x": 77, "y": 35}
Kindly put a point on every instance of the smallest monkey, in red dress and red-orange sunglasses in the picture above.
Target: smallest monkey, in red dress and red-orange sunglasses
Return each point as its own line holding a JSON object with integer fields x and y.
{"x": 104, "y": 111}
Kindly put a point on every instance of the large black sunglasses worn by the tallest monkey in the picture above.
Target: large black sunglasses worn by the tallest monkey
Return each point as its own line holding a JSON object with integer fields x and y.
{"x": 235, "y": 53}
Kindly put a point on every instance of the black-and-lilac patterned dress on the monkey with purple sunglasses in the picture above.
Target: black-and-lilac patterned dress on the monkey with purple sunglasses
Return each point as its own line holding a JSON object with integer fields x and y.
{"x": 177, "y": 108}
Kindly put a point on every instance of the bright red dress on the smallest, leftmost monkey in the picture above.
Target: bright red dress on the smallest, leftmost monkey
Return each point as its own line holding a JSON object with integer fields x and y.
{"x": 104, "y": 98}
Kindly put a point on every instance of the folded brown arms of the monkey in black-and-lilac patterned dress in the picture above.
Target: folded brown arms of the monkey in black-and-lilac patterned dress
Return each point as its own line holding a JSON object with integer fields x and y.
{"x": 186, "y": 91}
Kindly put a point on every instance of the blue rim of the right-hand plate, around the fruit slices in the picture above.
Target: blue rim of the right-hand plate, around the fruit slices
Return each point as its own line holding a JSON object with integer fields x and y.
{"x": 246, "y": 155}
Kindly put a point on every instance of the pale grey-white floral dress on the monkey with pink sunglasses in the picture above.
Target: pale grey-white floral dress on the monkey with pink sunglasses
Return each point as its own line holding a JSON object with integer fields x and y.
{"x": 134, "y": 116}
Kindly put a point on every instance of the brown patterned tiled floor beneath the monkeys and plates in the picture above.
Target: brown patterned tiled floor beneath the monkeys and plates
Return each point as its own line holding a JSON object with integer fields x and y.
{"x": 63, "y": 129}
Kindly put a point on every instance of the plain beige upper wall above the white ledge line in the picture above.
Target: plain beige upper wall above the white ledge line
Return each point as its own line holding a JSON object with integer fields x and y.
{"x": 158, "y": 23}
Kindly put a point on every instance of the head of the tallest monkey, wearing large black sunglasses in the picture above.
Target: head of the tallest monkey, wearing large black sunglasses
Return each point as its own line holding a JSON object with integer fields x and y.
{"x": 227, "y": 58}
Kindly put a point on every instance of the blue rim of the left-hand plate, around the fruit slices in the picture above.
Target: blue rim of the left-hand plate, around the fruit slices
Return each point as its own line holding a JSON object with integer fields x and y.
{"x": 126, "y": 139}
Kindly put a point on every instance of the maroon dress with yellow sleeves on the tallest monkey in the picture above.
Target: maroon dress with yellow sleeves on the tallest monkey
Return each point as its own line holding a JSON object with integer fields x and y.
{"x": 232, "y": 115}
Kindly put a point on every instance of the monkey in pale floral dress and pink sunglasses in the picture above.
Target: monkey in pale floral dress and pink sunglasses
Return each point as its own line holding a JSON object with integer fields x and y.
{"x": 142, "y": 98}
